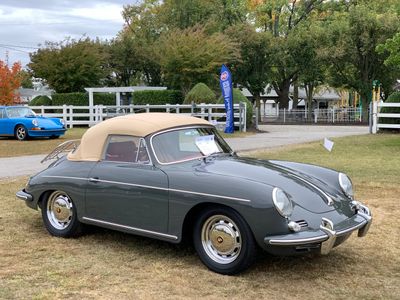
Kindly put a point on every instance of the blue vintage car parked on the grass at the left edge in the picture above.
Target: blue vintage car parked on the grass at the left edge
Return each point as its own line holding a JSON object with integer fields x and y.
{"x": 22, "y": 123}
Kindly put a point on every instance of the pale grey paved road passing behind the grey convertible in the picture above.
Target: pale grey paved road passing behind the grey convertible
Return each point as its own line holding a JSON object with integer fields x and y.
{"x": 274, "y": 136}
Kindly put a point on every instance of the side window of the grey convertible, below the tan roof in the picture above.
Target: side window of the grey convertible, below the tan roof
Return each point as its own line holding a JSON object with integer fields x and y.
{"x": 124, "y": 148}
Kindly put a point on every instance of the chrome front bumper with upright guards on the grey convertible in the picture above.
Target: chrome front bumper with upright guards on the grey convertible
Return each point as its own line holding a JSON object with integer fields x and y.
{"x": 327, "y": 233}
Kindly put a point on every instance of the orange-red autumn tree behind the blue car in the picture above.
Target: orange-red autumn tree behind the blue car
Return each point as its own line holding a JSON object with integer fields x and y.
{"x": 10, "y": 81}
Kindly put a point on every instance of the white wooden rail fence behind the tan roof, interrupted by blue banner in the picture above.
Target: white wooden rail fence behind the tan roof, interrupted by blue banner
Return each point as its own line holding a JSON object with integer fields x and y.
{"x": 91, "y": 115}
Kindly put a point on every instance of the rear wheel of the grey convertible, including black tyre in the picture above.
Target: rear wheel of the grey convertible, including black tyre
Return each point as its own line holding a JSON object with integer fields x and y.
{"x": 59, "y": 215}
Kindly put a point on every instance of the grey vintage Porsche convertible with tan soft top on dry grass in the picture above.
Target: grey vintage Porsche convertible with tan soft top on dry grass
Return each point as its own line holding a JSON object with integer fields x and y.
{"x": 173, "y": 177}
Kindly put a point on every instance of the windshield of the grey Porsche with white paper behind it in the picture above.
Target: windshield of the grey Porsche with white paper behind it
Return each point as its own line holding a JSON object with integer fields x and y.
{"x": 187, "y": 144}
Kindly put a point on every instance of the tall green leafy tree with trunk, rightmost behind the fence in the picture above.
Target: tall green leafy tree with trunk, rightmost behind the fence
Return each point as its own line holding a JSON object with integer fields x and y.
{"x": 350, "y": 52}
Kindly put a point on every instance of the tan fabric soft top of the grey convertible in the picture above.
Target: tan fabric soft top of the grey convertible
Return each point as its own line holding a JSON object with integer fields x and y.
{"x": 140, "y": 125}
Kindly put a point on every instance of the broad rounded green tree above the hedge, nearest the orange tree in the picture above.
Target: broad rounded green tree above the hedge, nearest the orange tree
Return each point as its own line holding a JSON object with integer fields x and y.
{"x": 70, "y": 65}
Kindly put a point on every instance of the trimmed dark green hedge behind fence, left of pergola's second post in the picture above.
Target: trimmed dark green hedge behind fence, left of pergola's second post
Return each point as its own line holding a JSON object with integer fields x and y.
{"x": 82, "y": 99}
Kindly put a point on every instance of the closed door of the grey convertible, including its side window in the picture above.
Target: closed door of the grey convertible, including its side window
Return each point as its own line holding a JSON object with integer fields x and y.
{"x": 125, "y": 189}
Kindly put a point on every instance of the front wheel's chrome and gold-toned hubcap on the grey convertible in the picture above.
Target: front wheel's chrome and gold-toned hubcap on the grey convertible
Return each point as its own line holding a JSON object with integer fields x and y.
{"x": 221, "y": 239}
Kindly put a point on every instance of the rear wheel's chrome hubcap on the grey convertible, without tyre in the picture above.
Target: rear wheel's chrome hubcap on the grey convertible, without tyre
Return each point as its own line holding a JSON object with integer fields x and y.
{"x": 59, "y": 210}
